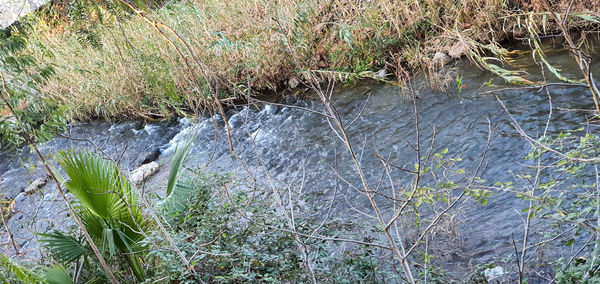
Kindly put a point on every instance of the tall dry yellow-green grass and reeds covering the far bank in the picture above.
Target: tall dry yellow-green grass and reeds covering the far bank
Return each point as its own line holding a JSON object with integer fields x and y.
{"x": 112, "y": 64}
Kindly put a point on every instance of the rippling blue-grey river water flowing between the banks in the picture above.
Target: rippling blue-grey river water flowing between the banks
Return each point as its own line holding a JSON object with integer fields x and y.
{"x": 299, "y": 146}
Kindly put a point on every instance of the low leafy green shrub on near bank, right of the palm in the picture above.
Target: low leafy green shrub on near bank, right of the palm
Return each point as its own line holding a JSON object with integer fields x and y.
{"x": 223, "y": 245}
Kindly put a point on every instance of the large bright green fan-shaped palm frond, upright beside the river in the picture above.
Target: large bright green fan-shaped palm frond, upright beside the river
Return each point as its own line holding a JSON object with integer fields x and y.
{"x": 108, "y": 206}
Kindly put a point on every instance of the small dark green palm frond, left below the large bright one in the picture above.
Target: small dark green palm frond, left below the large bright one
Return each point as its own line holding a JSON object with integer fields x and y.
{"x": 63, "y": 248}
